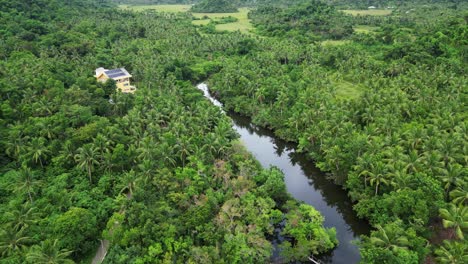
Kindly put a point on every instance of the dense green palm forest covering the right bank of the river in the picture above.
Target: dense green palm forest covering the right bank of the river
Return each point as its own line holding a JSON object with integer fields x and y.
{"x": 398, "y": 146}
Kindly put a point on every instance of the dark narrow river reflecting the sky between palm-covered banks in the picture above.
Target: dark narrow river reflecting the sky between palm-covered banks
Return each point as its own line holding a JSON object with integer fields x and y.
{"x": 305, "y": 183}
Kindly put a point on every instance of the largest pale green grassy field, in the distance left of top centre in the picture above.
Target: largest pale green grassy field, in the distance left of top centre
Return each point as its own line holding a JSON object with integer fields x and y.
{"x": 243, "y": 24}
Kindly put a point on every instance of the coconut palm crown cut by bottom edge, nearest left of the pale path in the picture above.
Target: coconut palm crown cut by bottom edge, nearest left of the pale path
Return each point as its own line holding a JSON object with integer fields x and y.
{"x": 48, "y": 252}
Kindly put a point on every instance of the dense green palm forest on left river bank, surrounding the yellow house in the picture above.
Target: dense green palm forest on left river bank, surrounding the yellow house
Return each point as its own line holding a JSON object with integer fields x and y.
{"x": 156, "y": 173}
